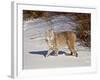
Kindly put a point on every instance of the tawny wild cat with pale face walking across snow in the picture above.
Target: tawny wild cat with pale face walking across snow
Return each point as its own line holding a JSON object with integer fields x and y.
{"x": 57, "y": 40}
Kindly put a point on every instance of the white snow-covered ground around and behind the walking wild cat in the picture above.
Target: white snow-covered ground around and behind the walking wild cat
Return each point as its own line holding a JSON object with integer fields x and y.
{"x": 35, "y": 46}
